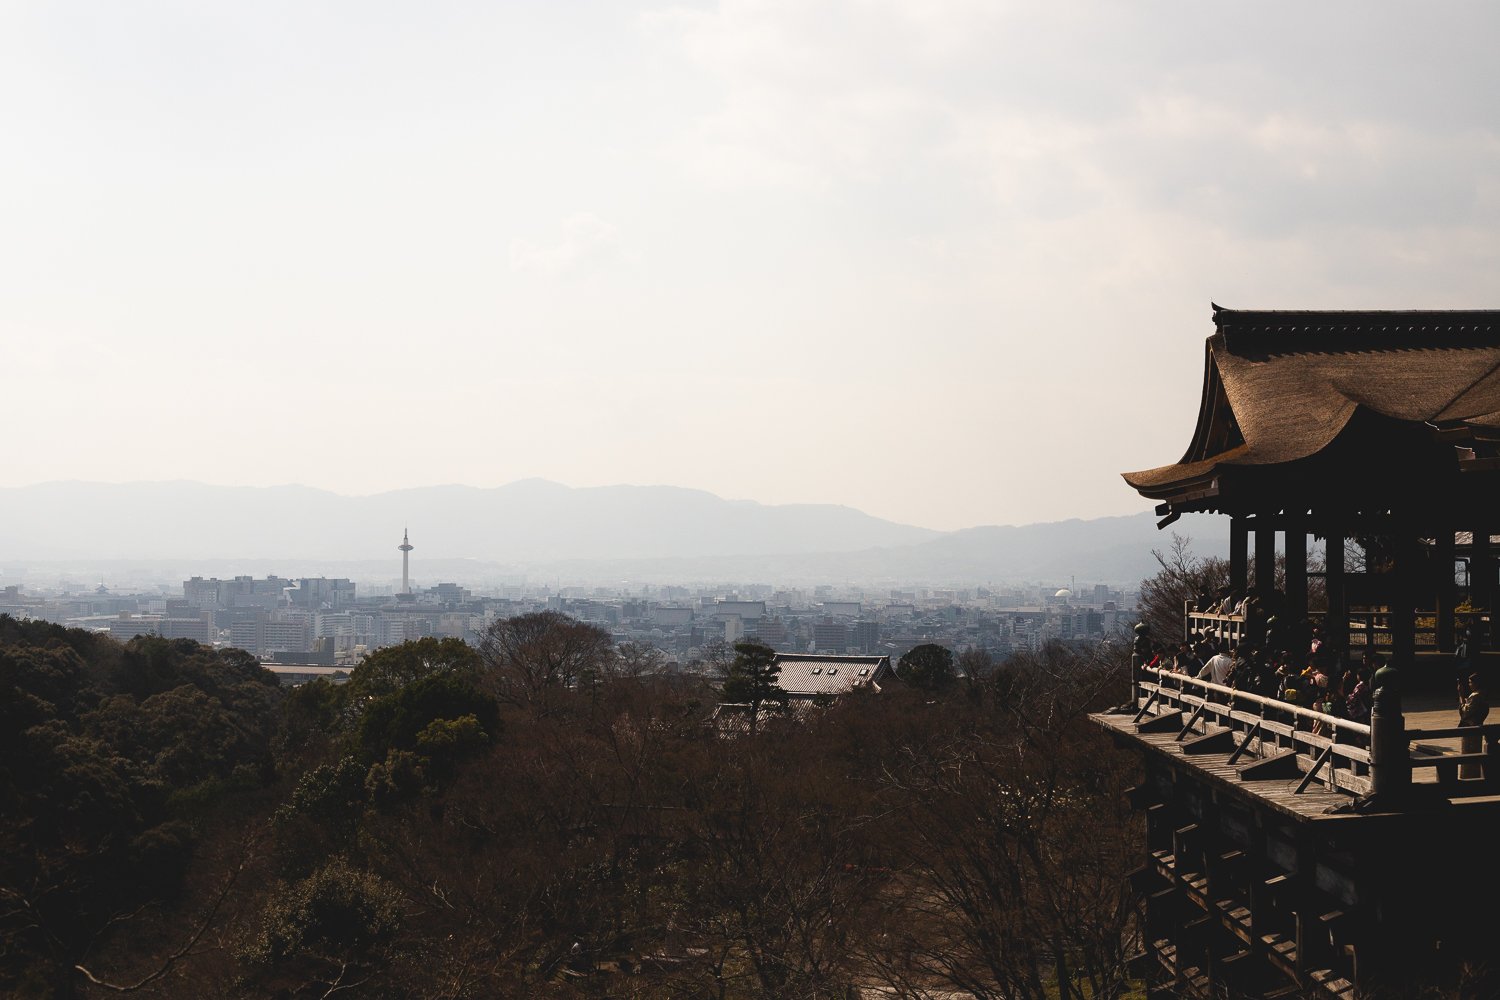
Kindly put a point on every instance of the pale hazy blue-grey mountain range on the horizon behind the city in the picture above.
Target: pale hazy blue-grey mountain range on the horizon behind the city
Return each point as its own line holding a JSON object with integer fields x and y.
{"x": 545, "y": 530}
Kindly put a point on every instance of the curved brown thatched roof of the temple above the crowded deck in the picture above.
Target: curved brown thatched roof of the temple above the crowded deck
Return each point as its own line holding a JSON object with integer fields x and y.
{"x": 1280, "y": 388}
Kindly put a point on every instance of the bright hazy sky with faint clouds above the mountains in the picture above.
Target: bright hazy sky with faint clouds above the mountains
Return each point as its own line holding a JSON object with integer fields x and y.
{"x": 949, "y": 263}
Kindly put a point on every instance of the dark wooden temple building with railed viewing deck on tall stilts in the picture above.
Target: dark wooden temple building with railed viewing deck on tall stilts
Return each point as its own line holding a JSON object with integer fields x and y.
{"x": 1298, "y": 854}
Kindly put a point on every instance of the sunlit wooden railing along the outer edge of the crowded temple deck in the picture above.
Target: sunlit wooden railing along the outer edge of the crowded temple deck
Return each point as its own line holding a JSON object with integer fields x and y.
{"x": 1294, "y": 743}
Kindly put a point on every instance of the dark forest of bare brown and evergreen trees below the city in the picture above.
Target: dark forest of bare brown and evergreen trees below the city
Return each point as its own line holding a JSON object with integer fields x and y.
{"x": 550, "y": 816}
